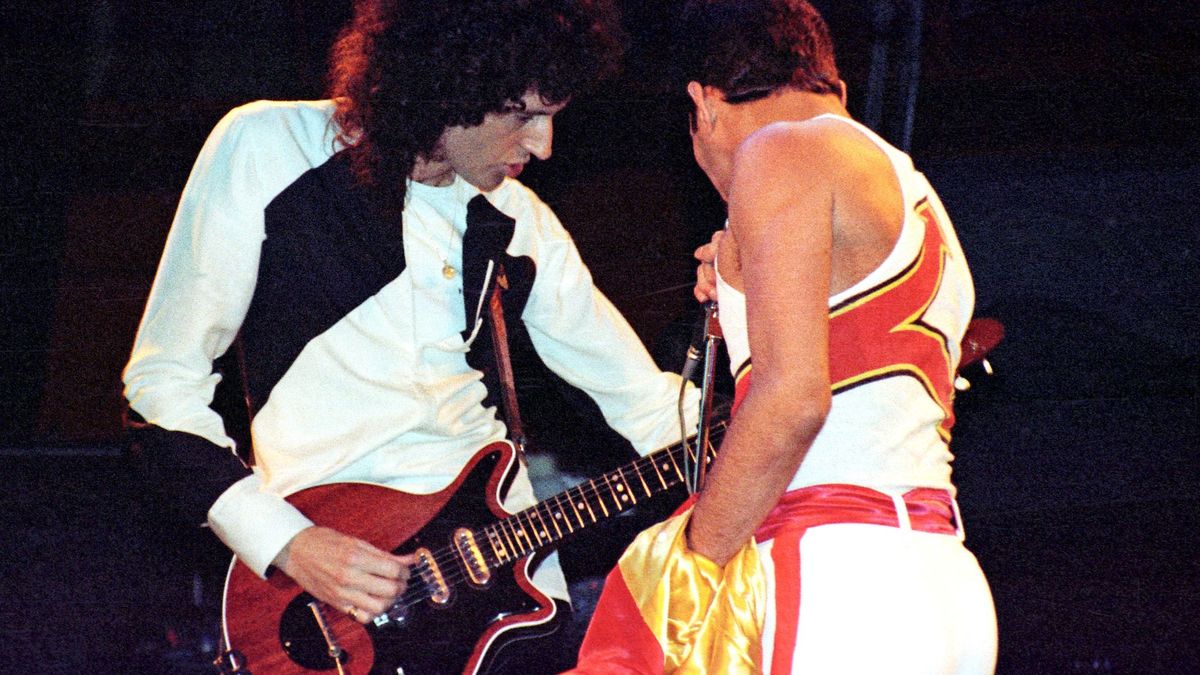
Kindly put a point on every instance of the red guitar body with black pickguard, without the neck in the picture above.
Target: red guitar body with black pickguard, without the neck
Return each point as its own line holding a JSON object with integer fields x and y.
{"x": 272, "y": 629}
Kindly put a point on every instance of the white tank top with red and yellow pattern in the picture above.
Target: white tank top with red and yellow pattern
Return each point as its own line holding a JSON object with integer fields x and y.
{"x": 893, "y": 361}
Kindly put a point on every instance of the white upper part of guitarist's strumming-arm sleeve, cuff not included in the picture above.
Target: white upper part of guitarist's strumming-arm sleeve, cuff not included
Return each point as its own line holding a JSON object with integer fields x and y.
{"x": 201, "y": 292}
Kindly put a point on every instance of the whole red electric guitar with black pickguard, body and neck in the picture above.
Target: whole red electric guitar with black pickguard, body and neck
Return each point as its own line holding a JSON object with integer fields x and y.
{"x": 469, "y": 596}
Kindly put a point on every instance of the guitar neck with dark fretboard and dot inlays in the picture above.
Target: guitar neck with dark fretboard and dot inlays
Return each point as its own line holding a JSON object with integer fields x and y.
{"x": 593, "y": 501}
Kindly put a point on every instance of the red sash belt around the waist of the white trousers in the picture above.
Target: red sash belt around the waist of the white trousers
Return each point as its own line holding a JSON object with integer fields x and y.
{"x": 927, "y": 510}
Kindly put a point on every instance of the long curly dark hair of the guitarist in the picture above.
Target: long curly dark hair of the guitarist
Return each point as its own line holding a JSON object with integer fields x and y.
{"x": 403, "y": 71}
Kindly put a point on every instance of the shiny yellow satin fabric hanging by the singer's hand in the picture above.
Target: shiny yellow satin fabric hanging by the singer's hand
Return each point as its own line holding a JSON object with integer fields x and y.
{"x": 707, "y": 619}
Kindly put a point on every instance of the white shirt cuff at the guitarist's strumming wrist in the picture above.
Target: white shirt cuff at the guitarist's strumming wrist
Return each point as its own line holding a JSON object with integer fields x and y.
{"x": 256, "y": 525}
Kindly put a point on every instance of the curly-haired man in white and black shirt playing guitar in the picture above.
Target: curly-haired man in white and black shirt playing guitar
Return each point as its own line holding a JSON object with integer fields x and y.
{"x": 352, "y": 244}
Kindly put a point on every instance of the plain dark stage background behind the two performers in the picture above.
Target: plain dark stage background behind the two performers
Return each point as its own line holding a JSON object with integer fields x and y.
{"x": 1063, "y": 138}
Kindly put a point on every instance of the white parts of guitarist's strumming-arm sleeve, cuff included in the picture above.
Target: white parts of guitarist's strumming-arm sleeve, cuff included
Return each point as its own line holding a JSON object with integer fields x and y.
{"x": 201, "y": 295}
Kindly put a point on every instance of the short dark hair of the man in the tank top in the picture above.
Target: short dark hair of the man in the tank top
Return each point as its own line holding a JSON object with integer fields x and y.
{"x": 751, "y": 49}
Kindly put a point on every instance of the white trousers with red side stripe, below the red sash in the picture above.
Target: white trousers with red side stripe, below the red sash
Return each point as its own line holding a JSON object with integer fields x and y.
{"x": 877, "y": 600}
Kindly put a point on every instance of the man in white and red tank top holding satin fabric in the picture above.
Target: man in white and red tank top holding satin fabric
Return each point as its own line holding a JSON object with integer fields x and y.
{"x": 827, "y": 537}
